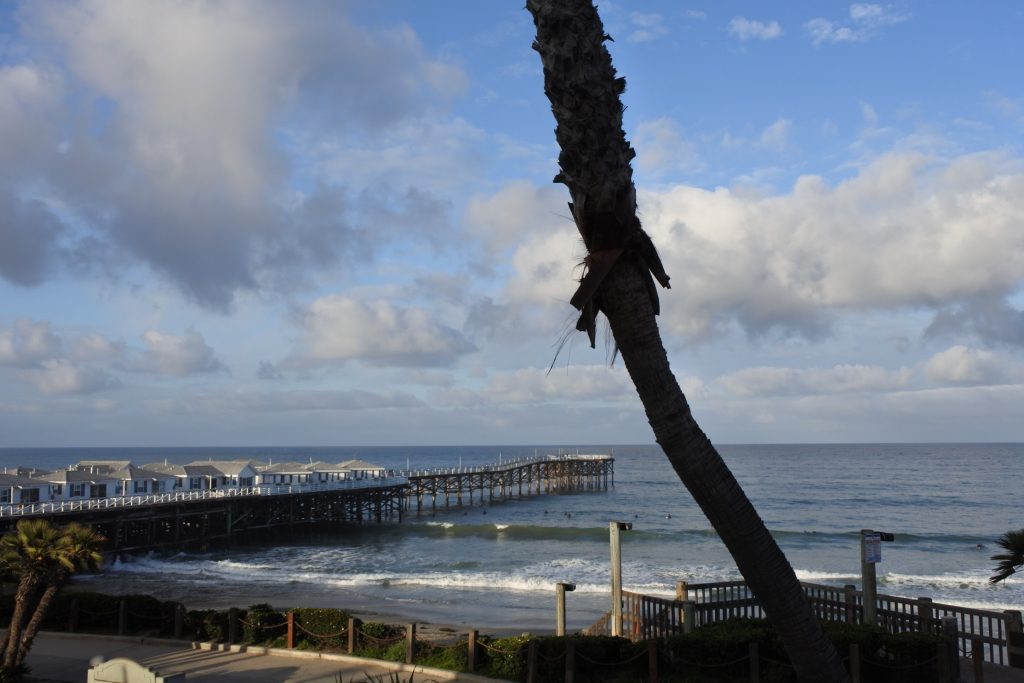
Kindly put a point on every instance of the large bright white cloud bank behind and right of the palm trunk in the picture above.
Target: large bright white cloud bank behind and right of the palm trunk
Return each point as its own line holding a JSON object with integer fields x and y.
{"x": 907, "y": 231}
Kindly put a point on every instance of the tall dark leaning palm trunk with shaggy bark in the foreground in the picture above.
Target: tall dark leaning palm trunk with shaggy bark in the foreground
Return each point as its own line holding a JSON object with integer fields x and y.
{"x": 622, "y": 266}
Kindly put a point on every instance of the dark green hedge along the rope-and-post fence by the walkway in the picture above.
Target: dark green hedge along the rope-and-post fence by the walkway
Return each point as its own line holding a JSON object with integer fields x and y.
{"x": 733, "y": 651}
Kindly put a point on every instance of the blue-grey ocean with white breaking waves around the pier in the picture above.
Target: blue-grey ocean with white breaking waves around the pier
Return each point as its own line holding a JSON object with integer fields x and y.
{"x": 495, "y": 567}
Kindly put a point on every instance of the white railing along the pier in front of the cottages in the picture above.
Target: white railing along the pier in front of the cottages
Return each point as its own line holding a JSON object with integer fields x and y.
{"x": 86, "y": 505}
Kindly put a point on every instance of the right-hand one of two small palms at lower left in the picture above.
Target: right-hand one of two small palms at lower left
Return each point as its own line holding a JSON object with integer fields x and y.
{"x": 79, "y": 549}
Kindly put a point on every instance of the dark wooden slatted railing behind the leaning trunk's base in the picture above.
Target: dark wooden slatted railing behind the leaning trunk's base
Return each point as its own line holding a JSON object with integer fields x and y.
{"x": 999, "y": 634}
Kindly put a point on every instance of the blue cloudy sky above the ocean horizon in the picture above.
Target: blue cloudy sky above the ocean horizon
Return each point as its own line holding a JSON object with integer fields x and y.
{"x": 334, "y": 224}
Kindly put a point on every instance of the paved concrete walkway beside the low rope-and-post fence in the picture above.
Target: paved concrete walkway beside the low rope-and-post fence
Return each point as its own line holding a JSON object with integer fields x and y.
{"x": 66, "y": 659}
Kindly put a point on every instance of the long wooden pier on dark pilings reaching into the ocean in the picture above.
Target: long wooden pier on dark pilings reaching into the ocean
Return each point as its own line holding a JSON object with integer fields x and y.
{"x": 205, "y": 519}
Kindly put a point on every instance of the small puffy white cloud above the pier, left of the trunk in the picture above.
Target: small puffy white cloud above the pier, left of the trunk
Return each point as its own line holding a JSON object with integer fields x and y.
{"x": 339, "y": 328}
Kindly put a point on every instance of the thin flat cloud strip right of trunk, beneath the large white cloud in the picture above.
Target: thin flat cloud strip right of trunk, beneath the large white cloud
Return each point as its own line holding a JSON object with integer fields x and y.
{"x": 810, "y": 381}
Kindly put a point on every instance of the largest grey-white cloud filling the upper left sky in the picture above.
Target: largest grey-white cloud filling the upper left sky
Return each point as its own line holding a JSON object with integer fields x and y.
{"x": 179, "y": 160}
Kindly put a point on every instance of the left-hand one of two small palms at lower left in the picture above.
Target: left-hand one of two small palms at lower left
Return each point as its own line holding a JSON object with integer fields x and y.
{"x": 28, "y": 553}
